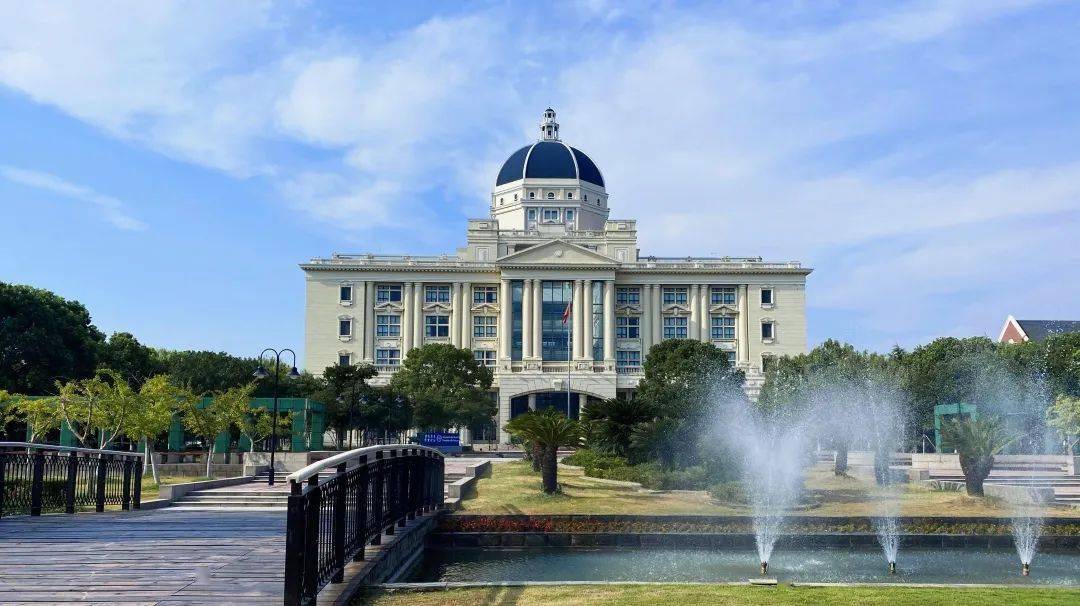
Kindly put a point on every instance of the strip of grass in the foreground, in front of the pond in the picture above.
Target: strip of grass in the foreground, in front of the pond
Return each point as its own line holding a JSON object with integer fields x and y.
{"x": 682, "y": 595}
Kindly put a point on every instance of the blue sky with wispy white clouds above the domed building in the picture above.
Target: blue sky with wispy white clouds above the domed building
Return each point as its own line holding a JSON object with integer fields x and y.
{"x": 170, "y": 164}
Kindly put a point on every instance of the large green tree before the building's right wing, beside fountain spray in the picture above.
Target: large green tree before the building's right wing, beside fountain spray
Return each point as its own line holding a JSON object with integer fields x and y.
{"x": 681, "y": 380}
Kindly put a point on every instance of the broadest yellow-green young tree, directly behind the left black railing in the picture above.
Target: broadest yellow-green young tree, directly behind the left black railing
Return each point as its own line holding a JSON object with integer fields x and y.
{"x": 100, "y": 407}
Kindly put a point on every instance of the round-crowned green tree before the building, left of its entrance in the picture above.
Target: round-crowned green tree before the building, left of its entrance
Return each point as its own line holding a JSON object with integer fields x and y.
{"x": 447, "y": 387}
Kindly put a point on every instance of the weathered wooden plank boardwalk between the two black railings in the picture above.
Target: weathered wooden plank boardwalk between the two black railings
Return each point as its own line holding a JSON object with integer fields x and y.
{"x": 161, "y": 557}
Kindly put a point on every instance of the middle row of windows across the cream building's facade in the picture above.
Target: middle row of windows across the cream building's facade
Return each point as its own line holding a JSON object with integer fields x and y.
{"x": 722, "y": 328}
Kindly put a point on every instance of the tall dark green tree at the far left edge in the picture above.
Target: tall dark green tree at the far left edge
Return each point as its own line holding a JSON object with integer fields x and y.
{"x": 44, "y": 339}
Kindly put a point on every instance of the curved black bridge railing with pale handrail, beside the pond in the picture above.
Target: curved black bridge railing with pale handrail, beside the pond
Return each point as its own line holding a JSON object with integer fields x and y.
{"x": 370, "y": 492}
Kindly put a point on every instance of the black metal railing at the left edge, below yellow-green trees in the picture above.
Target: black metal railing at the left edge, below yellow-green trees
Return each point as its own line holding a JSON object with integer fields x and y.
{"x": 37, "y": 479}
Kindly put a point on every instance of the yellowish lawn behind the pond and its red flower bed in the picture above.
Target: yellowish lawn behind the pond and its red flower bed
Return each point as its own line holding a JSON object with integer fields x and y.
{"x": 515, "y": 489}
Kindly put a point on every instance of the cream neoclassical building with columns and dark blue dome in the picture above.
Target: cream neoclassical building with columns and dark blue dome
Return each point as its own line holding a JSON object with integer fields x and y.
{"x": 548, "y": 244}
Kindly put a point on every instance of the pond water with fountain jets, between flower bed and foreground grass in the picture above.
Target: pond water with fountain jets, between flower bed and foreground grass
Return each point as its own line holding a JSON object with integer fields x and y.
{"x": 661, "y": 565}
